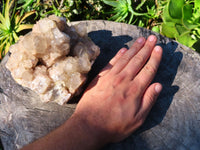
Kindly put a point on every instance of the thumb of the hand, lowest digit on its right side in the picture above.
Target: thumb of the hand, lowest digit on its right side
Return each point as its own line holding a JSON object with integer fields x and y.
{"x": 149, "y": 98}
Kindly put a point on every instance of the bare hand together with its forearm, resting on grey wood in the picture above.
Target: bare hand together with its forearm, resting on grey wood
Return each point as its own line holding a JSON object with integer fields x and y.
{"x": 115, "y": 104}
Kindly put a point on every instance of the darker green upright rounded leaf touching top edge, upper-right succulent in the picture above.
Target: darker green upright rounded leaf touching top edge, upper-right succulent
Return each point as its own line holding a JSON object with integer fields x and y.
{"x": 175, "y": 8}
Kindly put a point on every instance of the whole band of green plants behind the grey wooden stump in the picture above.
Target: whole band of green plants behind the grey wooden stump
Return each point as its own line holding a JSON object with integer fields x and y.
{"x": 177, "y": 19}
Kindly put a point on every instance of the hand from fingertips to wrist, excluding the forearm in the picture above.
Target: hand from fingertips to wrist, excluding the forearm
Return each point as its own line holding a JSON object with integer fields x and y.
{"x": 119, "y": 99}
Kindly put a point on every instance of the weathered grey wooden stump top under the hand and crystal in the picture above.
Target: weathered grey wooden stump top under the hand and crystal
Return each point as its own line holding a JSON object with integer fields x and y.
{"x": 173, "y": 123}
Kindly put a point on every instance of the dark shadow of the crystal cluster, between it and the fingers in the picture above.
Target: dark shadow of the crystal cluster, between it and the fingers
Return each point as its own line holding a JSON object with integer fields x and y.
{"x": 109, "y": 46}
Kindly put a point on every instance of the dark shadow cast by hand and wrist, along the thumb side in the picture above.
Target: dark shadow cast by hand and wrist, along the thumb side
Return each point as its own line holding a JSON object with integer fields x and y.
{"x": 165, "y": 75}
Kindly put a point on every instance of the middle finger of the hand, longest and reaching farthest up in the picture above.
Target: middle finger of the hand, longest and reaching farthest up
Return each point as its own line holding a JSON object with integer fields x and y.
{"x": 138, "y": 61}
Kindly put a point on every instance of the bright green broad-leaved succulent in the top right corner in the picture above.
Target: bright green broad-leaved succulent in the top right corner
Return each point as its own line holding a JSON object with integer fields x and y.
{"x": 181, "y": 20}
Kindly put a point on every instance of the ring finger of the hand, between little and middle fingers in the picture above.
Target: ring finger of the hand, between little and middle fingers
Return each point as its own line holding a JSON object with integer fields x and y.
{"x": 124, "y": 60}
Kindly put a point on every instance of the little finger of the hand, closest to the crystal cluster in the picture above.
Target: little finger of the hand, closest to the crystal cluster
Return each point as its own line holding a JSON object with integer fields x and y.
{"x": 113, "y": 61}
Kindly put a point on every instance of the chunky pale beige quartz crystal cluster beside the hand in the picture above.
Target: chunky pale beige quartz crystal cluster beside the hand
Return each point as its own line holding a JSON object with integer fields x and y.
{"x": 53, "y": 60}
